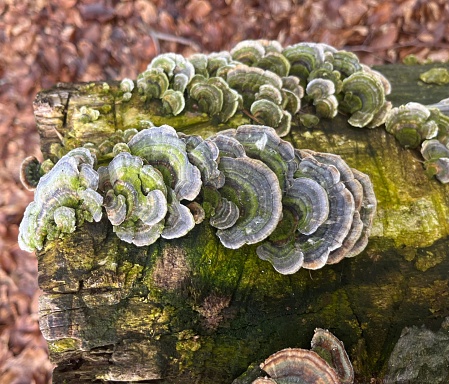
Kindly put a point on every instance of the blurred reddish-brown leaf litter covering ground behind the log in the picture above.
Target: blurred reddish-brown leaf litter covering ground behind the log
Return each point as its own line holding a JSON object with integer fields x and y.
{"x": 45, "y": 42}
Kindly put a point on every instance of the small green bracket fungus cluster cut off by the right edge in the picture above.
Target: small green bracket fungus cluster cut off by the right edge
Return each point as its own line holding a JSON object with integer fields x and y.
{"x": 427, "y": 128}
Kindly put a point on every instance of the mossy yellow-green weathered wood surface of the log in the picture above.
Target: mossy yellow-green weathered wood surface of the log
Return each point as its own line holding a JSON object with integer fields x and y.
{"x": 189, "y": 310}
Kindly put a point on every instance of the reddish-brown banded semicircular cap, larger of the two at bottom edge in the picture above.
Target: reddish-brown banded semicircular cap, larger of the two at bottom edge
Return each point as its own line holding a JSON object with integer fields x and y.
{"x": 299, "y": 365}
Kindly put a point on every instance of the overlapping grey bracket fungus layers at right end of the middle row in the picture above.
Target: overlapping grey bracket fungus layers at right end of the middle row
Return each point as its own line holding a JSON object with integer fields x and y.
{"x": 328, "y": 213}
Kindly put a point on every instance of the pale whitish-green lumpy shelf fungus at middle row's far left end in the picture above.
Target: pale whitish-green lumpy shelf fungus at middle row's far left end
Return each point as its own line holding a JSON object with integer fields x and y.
{"x": 64, "y": 198}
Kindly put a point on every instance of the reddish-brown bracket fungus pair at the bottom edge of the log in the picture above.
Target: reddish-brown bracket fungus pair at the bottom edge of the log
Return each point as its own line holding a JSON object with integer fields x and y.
{"x": 326, "y": 363}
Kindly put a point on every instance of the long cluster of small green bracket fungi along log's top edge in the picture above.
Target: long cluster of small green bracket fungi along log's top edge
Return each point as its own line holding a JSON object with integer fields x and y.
{"x": 267, "y": 81}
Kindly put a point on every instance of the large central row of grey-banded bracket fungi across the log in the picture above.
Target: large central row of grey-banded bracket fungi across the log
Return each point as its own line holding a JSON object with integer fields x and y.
{"x": 303, "y": 208}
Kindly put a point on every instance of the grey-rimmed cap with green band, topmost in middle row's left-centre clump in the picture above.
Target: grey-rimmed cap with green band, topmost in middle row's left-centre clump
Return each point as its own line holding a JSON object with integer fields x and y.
{"x": 162, "y": 148}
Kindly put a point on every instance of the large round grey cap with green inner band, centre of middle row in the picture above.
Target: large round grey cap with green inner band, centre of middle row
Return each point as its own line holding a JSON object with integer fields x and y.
{"x": 254, "y": 188}
